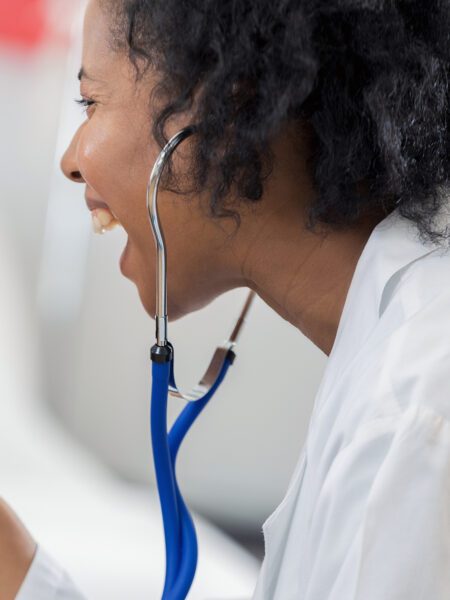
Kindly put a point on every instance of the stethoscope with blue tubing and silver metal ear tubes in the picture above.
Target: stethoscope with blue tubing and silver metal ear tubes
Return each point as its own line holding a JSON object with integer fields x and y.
{"x": 179, "y": 530}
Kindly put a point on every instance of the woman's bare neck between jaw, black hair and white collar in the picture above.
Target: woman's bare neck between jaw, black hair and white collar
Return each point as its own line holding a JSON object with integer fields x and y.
{"x": 304, "y": 276}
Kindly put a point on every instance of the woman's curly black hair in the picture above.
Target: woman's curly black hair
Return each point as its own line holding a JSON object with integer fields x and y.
{"x": 369, "y": 78}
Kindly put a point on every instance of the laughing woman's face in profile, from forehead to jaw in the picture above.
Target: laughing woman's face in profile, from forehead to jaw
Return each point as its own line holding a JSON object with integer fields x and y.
{"x": 112, "y": 154}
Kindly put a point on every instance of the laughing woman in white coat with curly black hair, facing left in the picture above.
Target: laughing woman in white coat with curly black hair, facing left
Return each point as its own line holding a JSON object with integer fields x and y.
{"x": 318, "y": 178}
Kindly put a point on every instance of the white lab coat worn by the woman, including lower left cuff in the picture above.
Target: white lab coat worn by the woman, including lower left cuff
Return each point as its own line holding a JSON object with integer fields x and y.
{"x": 367, "y": 512}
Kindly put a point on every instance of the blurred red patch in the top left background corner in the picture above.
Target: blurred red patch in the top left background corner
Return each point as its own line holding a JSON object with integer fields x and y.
{"x": 22, "y": 22}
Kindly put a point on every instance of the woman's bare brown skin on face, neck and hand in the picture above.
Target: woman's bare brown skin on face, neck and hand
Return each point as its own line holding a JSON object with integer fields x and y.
{"x": 304, "y": 276}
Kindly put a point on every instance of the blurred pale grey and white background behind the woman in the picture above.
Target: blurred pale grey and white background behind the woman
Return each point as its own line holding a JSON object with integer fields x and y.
{"x": 74, "y": 348}
